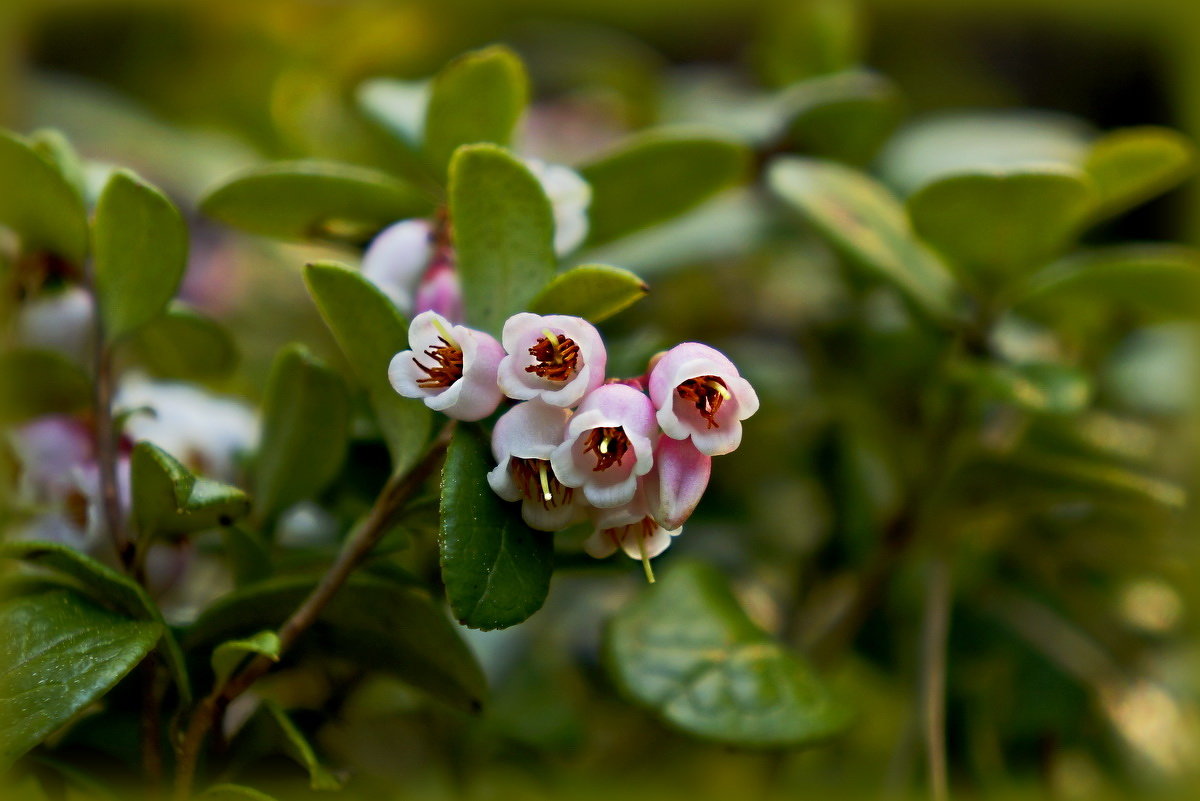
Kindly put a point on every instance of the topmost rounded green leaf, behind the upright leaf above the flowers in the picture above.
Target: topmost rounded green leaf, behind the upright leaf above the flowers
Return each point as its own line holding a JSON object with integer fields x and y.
{"x": 477, "y": 98}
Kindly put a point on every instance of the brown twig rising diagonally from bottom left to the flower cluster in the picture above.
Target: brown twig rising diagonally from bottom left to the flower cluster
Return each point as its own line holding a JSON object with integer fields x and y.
{"x": 358, "y": 545}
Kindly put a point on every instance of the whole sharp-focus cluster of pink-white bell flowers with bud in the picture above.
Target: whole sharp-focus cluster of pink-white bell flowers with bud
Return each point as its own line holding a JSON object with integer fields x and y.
{"x": 633, "y": 456}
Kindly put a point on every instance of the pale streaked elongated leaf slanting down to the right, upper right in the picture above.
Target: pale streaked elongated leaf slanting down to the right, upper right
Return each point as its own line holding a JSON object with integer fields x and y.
{"x": 867, "y": 224}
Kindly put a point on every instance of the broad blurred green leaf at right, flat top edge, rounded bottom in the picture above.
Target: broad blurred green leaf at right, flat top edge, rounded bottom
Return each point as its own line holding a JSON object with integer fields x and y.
{"x": 1003, "y": 222}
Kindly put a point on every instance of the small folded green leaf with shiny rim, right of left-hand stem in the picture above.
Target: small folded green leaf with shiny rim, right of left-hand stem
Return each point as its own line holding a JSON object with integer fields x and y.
{"x": 170, "y": 501}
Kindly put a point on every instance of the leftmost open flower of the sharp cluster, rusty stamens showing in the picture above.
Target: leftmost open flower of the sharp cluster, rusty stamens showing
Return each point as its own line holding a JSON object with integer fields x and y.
{"x": 451, "y": 368}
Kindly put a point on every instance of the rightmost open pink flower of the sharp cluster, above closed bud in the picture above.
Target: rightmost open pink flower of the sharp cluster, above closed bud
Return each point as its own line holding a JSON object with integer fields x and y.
{"x": 700, "y": 395}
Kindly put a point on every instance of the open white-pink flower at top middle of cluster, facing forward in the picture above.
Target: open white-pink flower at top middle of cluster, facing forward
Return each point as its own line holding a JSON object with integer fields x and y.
{"x": 557, "y": 359}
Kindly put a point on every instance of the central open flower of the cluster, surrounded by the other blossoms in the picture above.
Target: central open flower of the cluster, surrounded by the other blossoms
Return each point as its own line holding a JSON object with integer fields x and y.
{"x": 608, "y": 445}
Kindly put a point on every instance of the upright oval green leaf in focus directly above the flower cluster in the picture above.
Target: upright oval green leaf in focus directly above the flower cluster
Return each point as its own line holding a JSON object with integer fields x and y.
{"x": 503, "y": 234}
